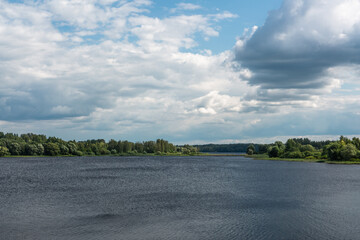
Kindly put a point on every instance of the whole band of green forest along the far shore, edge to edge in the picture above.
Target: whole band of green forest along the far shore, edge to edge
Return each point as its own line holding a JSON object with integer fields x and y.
{"x": 30, "y": 144}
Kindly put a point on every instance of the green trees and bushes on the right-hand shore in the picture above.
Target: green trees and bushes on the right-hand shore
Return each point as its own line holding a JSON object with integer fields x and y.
{"x": 344, "y": 149}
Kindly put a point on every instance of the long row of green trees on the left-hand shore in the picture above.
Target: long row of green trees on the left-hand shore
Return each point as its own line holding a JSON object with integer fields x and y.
{"x": 36, "y": 145}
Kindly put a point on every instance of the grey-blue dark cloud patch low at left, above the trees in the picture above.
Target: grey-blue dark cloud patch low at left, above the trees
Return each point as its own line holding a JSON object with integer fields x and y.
{"x": 48, "y": 101}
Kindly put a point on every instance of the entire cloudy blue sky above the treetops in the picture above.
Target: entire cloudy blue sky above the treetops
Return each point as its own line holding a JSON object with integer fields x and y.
{"x": 187, "y": 71}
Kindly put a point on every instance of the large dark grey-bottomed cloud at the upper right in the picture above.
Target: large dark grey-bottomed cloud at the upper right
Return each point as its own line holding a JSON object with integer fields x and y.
{"x": 300, "y": 43}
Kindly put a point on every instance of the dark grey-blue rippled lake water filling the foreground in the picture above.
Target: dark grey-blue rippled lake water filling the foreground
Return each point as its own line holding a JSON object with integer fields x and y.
{"x": 177, "y": 198}
